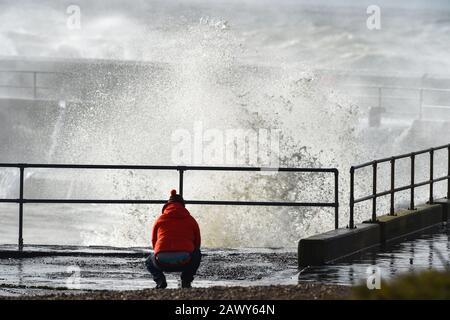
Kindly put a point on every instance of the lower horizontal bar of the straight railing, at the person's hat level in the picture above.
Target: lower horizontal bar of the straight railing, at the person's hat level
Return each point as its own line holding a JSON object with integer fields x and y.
{"x": 195, "y": 202}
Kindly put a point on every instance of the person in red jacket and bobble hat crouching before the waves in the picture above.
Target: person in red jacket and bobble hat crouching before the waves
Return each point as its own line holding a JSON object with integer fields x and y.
{"x": 176, "y": 243}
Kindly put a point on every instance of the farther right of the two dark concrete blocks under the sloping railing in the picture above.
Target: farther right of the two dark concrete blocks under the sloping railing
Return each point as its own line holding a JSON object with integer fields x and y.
{"x": 407, "y": 222}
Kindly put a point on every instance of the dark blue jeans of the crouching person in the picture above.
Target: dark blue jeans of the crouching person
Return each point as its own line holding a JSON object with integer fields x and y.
{"x": 188, "y": 270}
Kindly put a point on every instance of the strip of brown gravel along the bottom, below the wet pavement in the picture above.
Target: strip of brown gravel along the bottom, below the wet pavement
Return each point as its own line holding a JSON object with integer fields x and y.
{"x": 305, "y": 291}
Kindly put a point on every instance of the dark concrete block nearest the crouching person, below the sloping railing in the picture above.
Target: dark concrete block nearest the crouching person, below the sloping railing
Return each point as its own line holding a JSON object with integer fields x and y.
{"x": 329, "y": 246}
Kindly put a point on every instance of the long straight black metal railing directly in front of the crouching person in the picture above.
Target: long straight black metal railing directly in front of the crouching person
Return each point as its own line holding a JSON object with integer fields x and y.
{"x": 181, "y": 170}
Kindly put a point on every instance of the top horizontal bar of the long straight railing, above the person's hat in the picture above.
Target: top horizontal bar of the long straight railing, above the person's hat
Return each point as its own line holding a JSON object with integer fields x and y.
{"x": 153, "y": 167}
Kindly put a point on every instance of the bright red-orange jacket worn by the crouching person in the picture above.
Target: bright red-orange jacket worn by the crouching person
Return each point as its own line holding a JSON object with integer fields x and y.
{"x": 175, "y": 230}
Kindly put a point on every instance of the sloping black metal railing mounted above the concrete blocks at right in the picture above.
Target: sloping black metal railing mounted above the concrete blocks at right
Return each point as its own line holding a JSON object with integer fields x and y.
{"x": 413, "y": 184}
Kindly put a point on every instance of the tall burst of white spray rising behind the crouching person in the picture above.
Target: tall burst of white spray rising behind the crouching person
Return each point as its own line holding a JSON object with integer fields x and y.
{"x": 206, "y": 82}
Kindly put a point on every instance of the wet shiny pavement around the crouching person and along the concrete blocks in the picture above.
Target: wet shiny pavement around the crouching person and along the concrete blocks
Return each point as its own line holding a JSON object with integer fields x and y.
{"x": 80, "y": 269}
